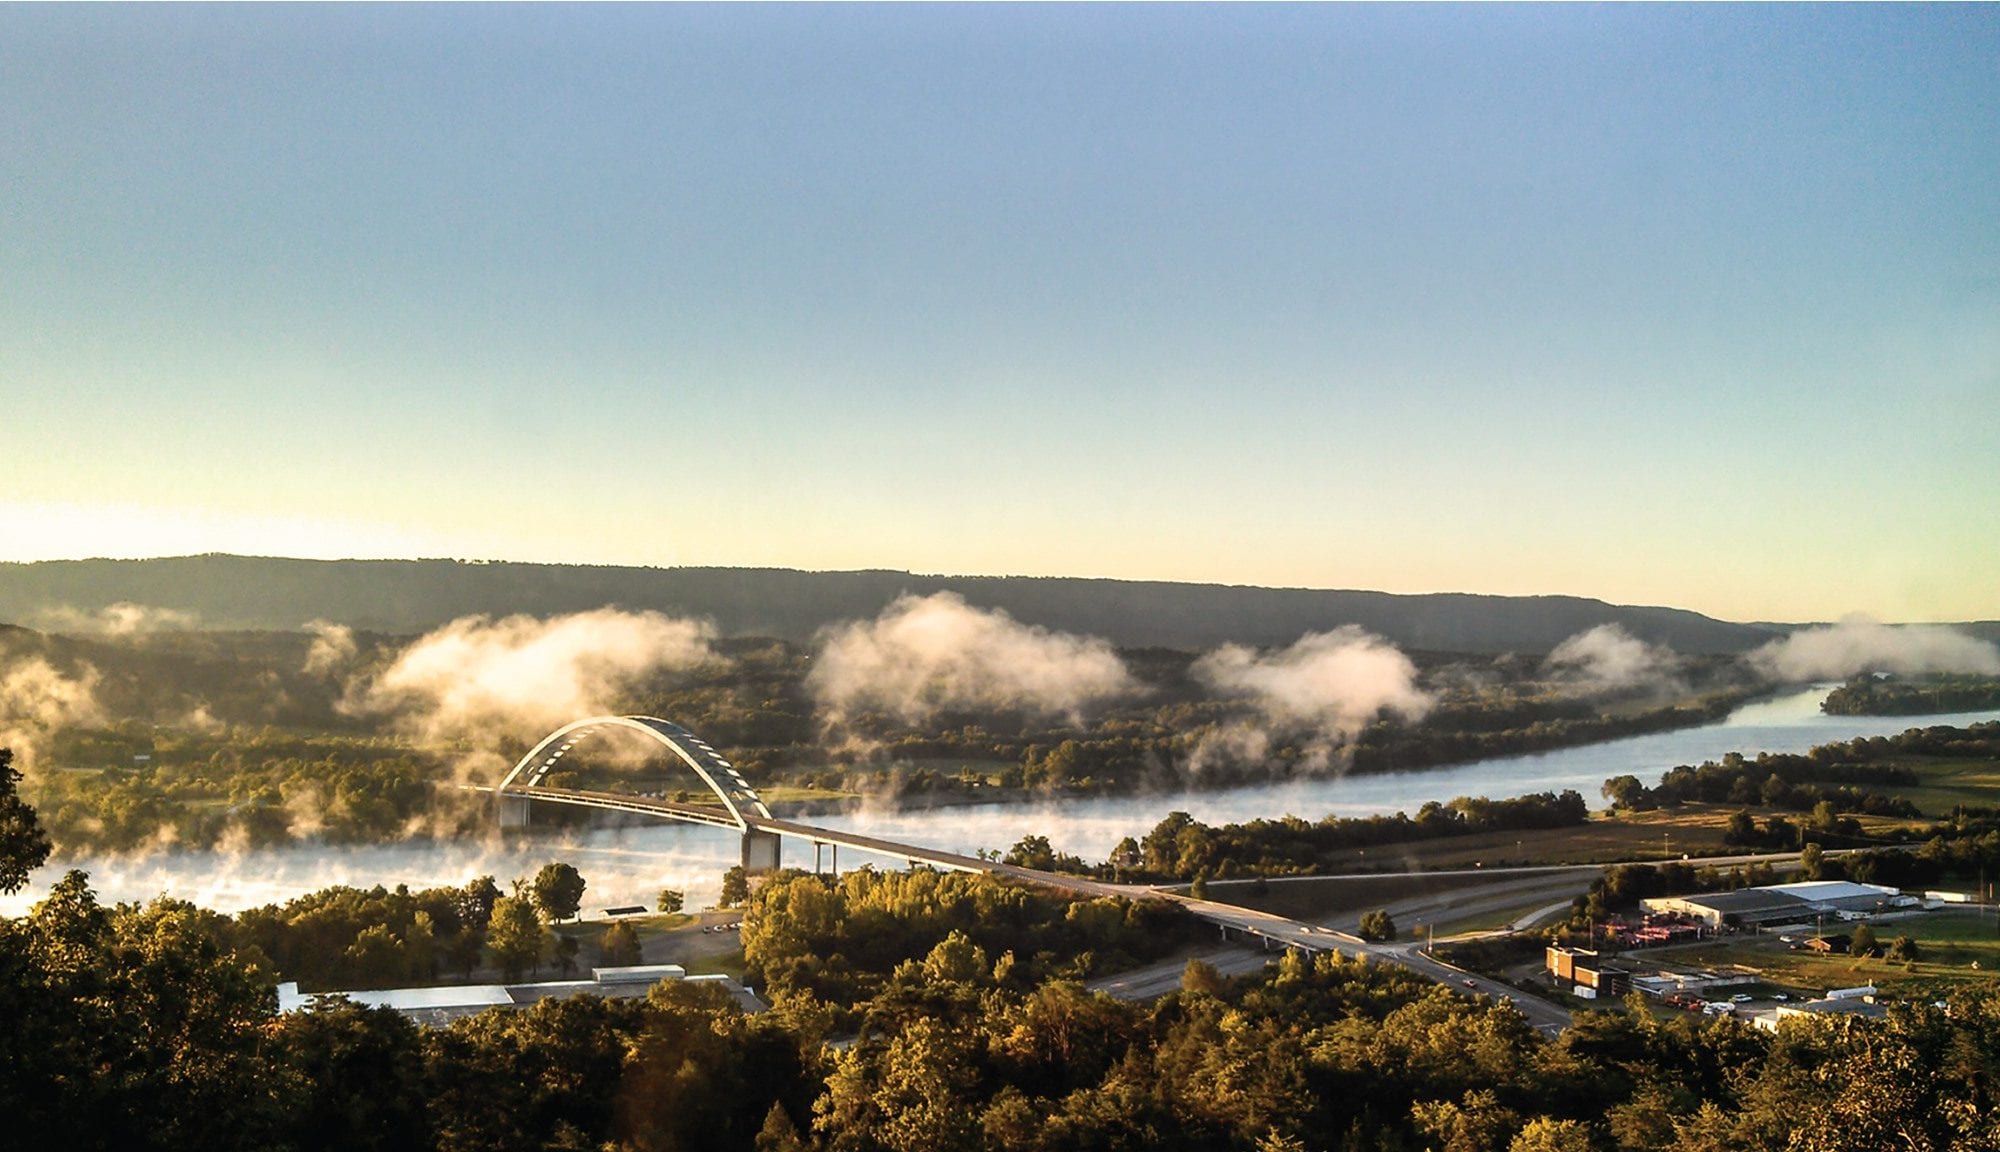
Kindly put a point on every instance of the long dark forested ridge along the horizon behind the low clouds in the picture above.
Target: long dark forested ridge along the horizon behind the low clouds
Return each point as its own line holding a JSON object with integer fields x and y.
{"x": 417, "y": 595}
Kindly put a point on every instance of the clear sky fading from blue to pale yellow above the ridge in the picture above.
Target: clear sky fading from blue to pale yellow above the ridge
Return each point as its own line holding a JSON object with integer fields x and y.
{"x": 1661, "y": 305}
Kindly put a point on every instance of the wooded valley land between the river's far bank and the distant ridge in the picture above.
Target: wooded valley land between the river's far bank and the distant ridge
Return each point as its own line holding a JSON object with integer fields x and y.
{"x": 205, "y": 739}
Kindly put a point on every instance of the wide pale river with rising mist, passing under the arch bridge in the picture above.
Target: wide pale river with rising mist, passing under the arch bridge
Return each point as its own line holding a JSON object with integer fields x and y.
{"x": 631, "y": 865}
